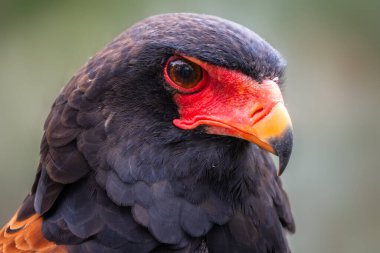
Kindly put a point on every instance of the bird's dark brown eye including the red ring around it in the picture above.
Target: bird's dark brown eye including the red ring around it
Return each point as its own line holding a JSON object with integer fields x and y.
{"x": 184, "y": 75}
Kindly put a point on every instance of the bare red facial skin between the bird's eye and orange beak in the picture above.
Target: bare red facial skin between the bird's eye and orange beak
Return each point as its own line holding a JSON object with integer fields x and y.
{"x": 227, "y": 101}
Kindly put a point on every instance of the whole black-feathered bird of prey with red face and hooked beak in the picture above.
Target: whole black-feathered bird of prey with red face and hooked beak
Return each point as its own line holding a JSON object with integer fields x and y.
{"x": 161, "y": 143}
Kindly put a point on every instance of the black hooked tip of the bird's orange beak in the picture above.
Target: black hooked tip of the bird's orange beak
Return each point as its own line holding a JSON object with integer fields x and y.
{"x": 283, "y": 147}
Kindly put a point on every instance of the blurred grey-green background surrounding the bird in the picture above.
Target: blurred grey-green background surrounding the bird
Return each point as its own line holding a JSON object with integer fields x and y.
{"x": 332, "y": 92}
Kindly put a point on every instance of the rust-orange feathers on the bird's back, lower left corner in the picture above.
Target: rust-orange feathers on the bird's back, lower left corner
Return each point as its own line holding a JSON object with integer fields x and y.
{"x": 26, "y": 236}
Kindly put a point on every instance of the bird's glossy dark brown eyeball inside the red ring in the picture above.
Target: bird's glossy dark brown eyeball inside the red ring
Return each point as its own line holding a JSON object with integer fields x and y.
{"x": 184, "y": 73}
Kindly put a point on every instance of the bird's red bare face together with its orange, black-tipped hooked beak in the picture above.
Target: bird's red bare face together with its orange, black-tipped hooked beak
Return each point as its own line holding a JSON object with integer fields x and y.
{"x": 234, "y": 104}
